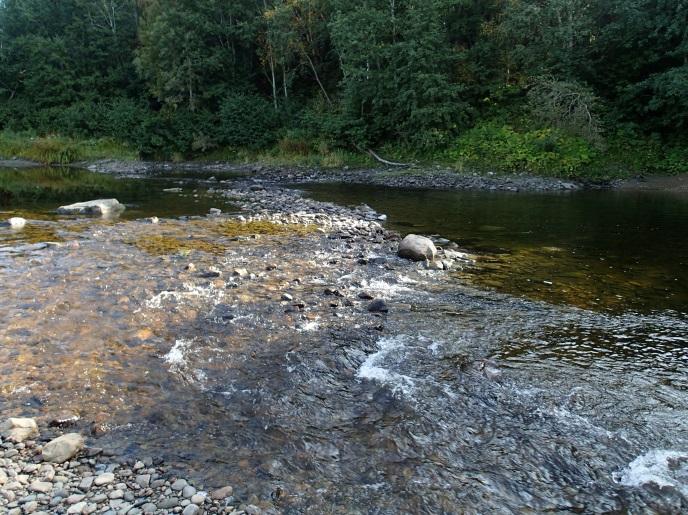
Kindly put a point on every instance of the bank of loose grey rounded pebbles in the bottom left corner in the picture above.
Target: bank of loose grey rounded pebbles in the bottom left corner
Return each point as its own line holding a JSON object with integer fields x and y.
{"x": 75, "y": 478}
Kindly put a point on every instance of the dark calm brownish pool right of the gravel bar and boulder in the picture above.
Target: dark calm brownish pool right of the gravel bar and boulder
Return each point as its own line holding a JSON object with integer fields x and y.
{"x": 603, "y": 250}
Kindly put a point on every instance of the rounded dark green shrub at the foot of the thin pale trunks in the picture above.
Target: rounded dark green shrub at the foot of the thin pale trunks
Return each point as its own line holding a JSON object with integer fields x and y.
{"x": 247, "y": 121}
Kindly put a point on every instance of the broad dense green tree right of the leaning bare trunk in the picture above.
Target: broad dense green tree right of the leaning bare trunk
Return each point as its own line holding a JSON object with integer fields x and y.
{"x": 395, "y": 65}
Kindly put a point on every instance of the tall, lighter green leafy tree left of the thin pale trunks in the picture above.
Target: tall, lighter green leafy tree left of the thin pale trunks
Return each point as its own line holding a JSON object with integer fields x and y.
{"x": 192, "y": 52}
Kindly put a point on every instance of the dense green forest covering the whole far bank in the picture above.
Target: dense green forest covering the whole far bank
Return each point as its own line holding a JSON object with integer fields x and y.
{"x": 547, "y": 86}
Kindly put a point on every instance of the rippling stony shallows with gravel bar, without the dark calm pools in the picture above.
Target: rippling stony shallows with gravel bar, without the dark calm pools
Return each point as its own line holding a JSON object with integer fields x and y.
{"x": 254, "y": 361}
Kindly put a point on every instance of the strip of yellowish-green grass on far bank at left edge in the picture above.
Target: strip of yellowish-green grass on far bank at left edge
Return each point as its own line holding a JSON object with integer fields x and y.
{"x": 54, "y": 149}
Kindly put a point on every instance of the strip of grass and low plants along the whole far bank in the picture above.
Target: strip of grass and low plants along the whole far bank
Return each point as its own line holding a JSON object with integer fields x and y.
{"x": 499, "y": 152}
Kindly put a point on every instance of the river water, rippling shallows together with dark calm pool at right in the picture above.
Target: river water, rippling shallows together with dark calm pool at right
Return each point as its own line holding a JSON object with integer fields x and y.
{"x": 551, "y": 375}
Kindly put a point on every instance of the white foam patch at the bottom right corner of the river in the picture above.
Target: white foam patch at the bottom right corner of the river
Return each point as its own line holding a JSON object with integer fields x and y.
{"x": 664, "y": 468}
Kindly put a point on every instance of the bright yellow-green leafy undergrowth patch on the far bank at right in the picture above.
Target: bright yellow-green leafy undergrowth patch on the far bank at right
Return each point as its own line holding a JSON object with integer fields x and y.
{"x": 500, "y": 148}
